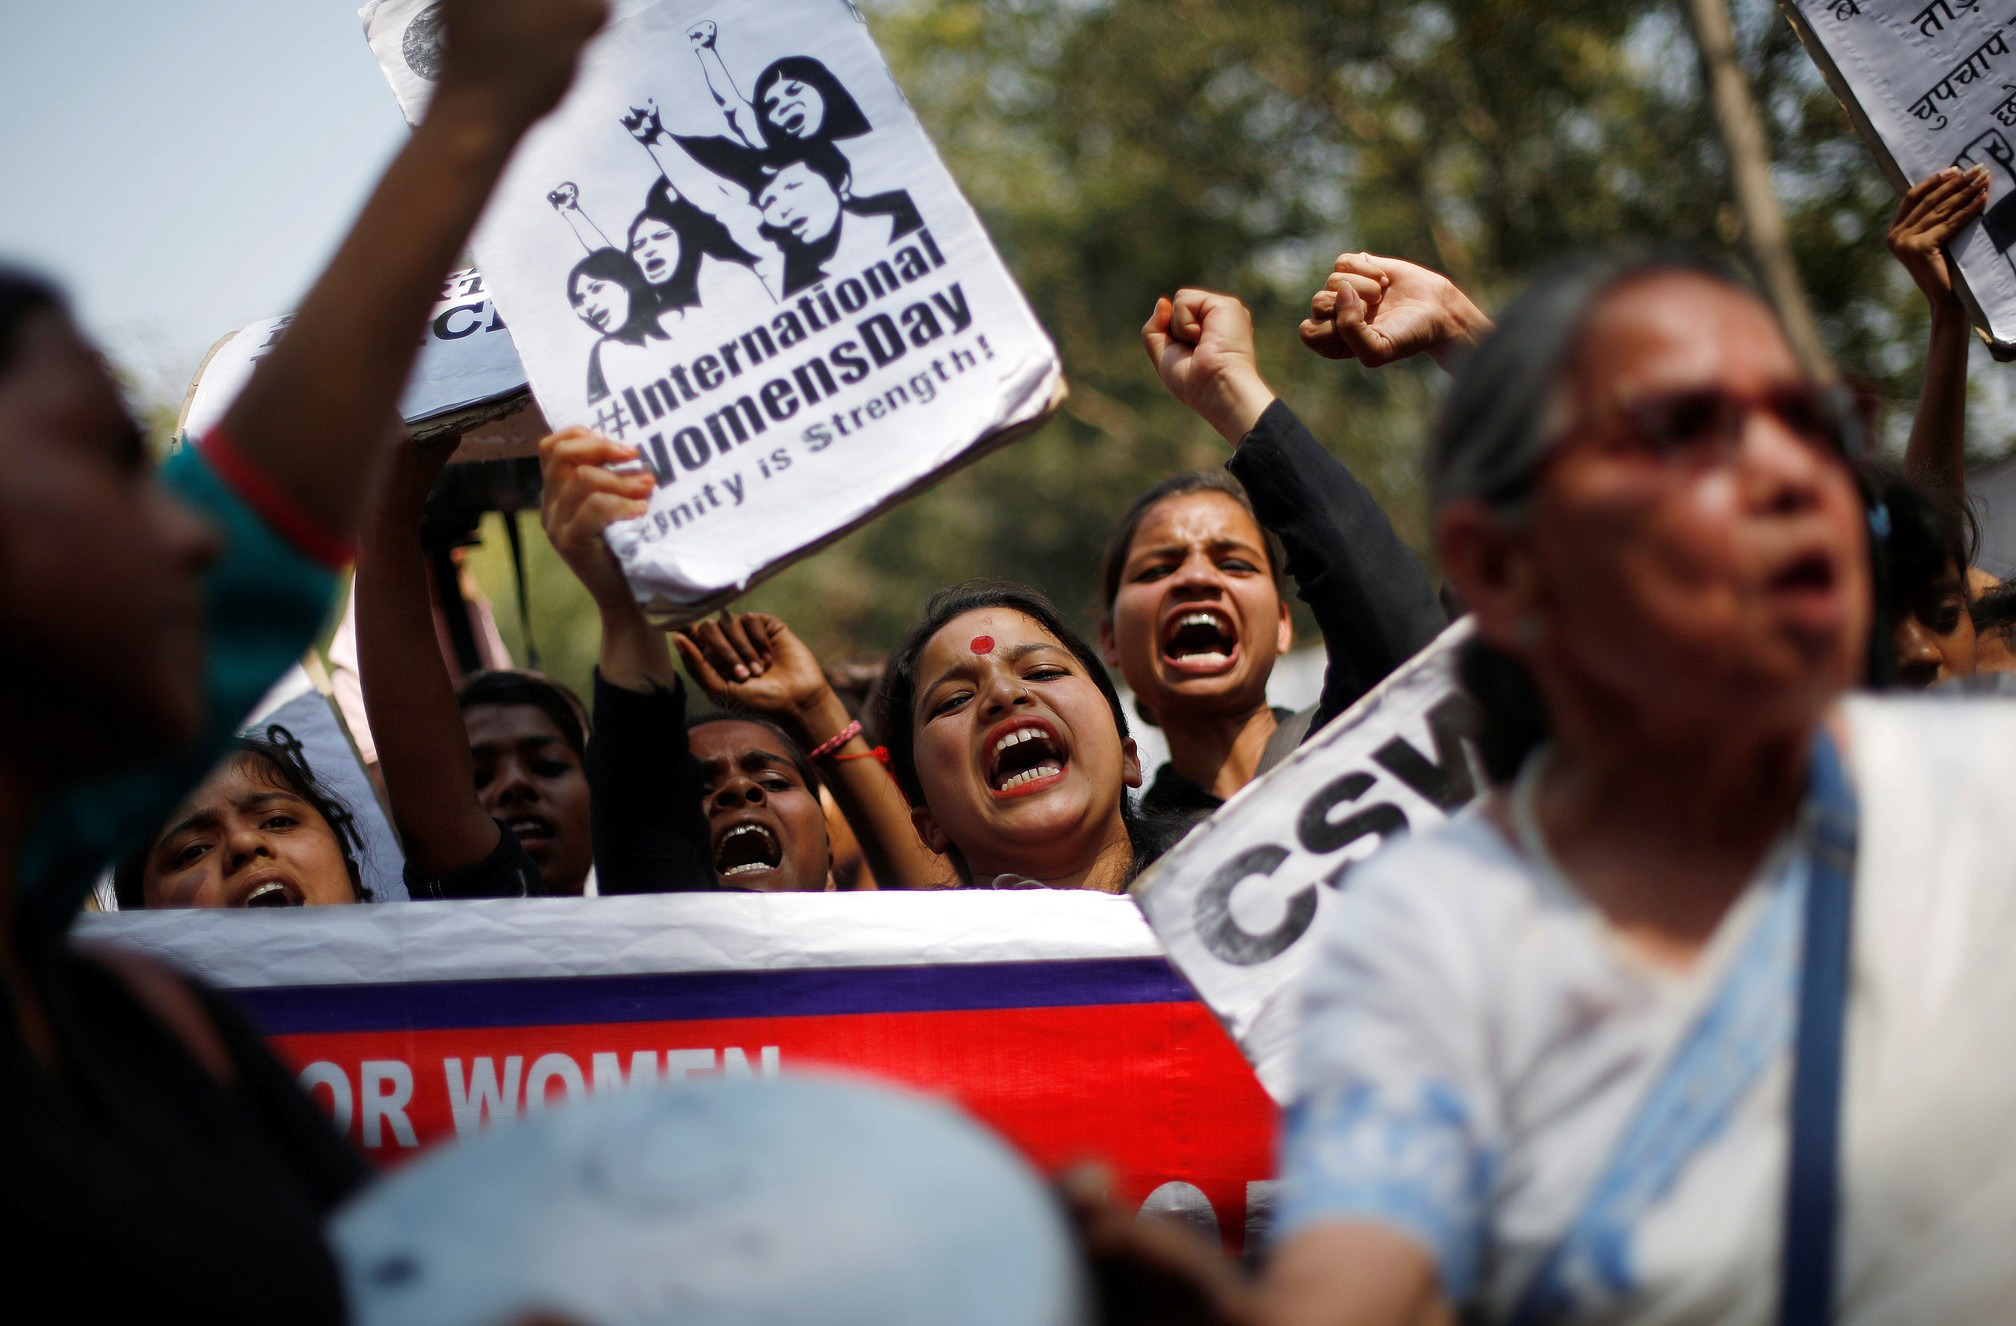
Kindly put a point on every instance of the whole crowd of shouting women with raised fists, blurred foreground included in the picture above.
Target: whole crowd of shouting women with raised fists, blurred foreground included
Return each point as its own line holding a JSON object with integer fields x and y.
{"x": 1557, "y": 1057}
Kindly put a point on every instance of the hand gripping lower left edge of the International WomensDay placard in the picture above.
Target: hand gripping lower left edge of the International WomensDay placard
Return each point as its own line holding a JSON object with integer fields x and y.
{"x": 582, "y": 497}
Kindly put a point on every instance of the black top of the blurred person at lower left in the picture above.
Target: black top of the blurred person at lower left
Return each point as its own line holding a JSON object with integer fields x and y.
{"x": 142, "y": 1188}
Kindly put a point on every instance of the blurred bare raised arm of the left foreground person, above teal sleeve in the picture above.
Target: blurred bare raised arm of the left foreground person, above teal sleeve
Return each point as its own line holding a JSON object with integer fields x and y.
{"x": 313, "y": 420}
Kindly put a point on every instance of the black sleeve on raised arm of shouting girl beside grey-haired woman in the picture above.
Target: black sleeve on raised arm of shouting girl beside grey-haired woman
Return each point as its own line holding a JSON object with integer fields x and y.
{"x": 1370, "y": 595}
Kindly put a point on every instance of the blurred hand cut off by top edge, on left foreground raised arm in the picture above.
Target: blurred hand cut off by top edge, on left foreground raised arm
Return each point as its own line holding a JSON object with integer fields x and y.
{"x": 513, "y": 57}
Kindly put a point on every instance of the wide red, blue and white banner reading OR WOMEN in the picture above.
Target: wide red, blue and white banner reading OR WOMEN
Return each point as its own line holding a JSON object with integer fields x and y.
{"x": 1051, "y": 1017}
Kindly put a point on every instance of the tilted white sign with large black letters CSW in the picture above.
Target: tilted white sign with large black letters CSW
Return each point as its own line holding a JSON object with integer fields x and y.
{"x": 1239, "y": 904}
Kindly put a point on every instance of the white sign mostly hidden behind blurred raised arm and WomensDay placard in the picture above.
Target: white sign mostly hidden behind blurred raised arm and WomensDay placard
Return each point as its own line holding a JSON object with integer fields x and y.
{"x": 467, "y": 374}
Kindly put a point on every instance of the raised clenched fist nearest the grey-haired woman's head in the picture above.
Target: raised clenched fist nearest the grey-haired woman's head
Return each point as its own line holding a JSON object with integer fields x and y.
{"x": 1388, "y": 309}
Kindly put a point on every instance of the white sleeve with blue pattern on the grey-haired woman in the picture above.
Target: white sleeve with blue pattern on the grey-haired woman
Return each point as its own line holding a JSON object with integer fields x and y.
{"x": 1394, "y": 1117}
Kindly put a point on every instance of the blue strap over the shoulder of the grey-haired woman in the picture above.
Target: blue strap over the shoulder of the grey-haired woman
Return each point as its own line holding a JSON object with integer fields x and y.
{"x": 1813, "y": 1178}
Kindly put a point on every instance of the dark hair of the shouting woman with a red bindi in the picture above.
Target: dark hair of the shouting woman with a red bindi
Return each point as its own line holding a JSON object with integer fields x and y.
{"x": 1148, "y": 835}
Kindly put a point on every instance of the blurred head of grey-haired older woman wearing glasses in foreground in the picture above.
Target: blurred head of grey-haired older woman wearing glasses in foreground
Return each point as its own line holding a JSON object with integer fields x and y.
{"x": 1650, "y": 511}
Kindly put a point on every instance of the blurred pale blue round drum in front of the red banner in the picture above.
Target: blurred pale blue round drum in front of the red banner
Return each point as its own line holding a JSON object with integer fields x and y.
{"x": 713, "y": 1204}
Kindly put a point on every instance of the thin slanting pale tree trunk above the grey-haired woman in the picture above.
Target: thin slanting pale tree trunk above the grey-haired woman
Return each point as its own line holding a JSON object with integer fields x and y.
{"x": 1757, "y": 203}
